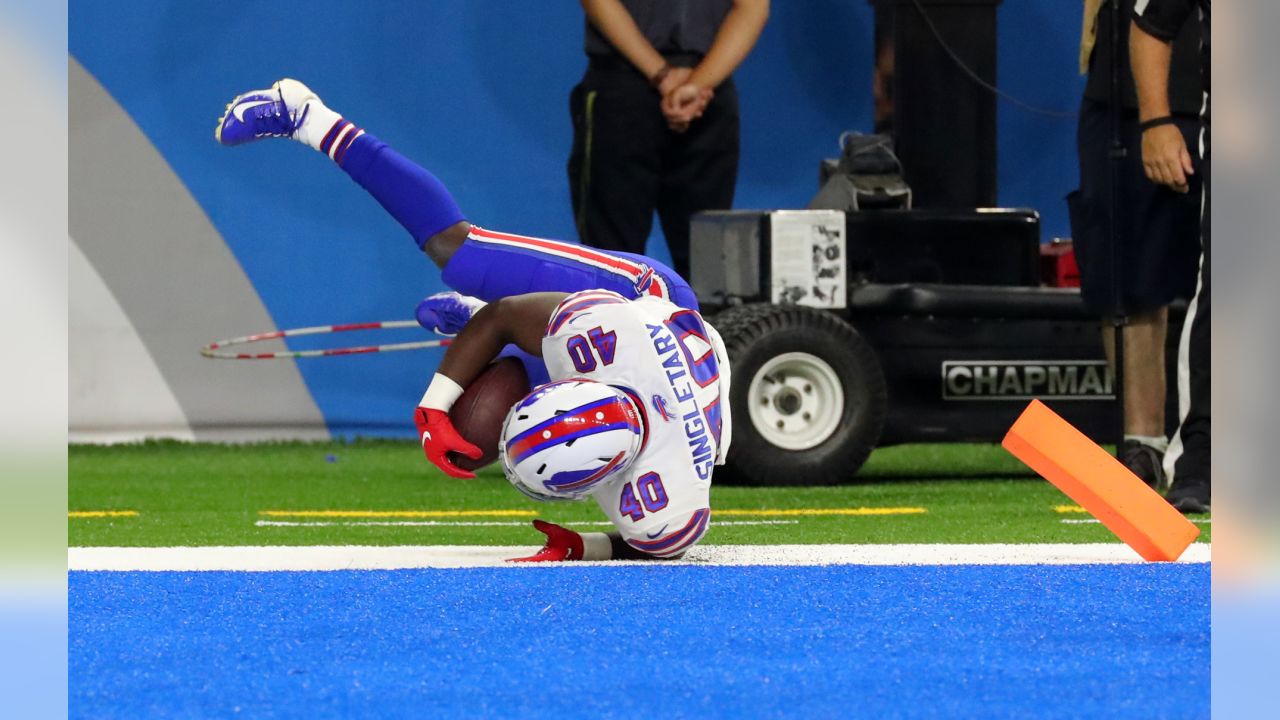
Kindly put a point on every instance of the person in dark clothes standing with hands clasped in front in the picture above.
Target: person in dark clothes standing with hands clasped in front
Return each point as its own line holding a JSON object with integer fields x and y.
{"x": 656, "y": 122}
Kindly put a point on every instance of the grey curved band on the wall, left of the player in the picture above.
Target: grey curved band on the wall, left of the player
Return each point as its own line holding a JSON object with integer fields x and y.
{"x": 175, "y": 277}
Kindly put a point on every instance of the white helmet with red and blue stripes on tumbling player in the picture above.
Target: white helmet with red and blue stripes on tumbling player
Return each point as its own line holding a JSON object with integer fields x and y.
{"x": 568, "y": 438}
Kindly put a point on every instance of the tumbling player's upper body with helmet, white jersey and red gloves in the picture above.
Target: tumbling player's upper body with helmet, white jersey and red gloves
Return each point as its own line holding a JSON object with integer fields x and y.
{"x": 637, "y": 416}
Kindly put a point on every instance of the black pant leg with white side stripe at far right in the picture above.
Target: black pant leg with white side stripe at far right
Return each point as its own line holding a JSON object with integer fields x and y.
{"x": 1194, "y": 466}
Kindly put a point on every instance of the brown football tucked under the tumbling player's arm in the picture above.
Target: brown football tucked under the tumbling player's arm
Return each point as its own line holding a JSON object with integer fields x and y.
{"x": 483, "y": 407}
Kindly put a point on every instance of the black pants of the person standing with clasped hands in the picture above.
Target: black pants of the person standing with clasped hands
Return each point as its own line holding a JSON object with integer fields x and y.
{"x": 627, "y": 163}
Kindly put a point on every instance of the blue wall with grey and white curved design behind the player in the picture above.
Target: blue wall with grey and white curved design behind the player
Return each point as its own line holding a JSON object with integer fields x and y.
{"x": 179, "y": 241}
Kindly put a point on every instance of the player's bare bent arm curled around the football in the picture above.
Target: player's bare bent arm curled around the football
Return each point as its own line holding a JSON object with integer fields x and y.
{"x": 519, "y": 321}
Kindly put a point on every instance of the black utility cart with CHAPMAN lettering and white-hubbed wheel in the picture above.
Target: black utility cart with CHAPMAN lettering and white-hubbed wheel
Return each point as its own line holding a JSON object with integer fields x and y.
{"x": 854, "y": 330}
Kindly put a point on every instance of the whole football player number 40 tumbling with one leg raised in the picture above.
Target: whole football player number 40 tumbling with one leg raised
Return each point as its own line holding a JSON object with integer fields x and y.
{"x": 639, "y": 411}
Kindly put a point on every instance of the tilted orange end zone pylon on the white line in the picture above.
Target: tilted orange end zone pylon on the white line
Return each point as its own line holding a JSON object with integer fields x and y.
{"x": 1100, "y": 484}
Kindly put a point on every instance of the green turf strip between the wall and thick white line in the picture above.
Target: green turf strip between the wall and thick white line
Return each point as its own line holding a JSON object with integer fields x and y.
{"x": 191, "y": 495}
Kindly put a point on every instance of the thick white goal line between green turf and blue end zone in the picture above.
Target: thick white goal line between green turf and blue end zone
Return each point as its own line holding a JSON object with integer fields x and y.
{"x": 396, "y": 558}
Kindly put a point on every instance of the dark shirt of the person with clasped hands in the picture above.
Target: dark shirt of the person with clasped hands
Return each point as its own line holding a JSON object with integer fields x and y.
{"x": 674, "y": 28}
